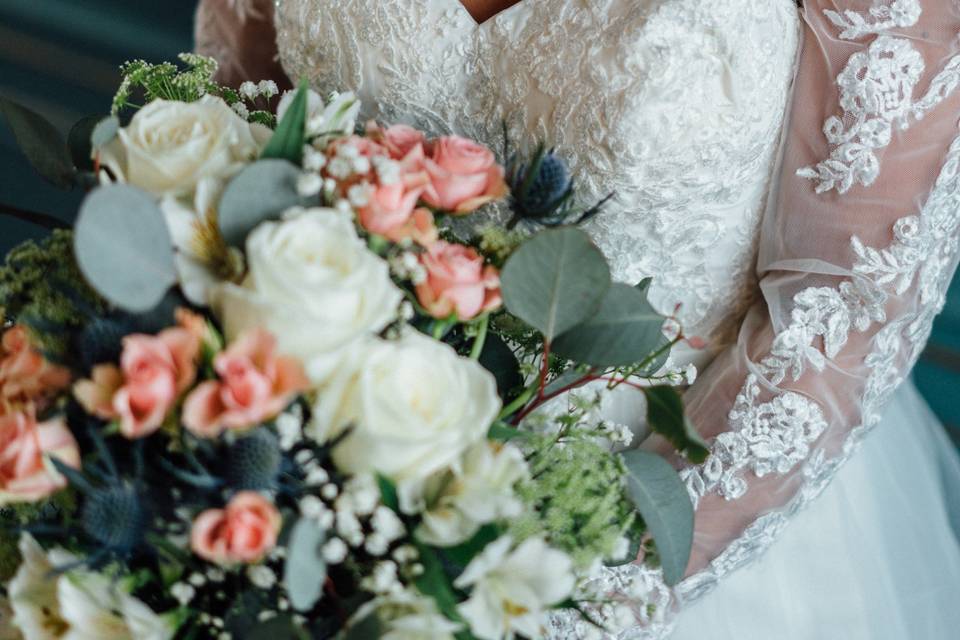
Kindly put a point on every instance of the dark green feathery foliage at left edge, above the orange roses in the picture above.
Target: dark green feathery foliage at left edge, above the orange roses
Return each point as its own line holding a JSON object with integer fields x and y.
{"x": 42, "y": 287}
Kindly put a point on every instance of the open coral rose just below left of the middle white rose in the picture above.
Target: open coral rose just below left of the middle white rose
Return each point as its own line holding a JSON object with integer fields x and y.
{"x": 255, "y": 384}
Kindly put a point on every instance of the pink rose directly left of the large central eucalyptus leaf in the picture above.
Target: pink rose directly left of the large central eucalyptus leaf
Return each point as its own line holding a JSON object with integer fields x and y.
{"x": 457, "y": 282}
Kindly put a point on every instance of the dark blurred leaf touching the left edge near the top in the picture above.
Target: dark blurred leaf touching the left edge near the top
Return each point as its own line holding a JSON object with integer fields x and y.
{"x": 45, "y": 148}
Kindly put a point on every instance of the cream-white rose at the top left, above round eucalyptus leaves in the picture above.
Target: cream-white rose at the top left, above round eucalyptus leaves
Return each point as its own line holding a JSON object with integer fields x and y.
{"x": 170, "y": 146}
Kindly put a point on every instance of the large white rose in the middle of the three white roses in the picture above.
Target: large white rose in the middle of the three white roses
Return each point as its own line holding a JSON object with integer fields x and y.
{"x": 312, "y": 282}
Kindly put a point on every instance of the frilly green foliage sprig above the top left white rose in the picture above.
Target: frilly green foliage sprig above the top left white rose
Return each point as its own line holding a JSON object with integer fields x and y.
{"x": 167, "y": 81}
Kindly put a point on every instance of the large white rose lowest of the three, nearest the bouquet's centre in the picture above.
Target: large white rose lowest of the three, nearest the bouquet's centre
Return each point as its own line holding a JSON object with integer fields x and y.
{"x": 413, "y": 406}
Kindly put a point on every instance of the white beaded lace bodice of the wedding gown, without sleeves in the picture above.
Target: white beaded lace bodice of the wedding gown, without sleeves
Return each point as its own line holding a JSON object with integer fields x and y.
{"x": 673, "y": 105}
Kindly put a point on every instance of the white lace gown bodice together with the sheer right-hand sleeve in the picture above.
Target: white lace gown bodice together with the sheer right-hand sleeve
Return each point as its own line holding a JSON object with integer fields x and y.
{"x": 678, "y": 107}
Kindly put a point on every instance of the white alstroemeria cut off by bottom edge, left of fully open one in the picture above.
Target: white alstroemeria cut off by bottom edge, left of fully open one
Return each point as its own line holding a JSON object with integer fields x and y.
{"x": 407, "y": 615}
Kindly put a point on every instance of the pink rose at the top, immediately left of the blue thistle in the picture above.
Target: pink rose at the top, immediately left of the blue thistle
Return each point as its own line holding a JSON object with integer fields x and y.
{"x": 464, "y": 175}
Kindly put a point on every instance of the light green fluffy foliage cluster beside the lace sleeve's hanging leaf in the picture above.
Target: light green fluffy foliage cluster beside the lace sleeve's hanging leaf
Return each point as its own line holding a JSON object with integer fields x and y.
{"x": 577, "y": 497}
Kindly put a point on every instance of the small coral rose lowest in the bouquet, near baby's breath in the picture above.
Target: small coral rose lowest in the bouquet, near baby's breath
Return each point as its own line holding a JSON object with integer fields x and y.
{"x": 243, "y": 532}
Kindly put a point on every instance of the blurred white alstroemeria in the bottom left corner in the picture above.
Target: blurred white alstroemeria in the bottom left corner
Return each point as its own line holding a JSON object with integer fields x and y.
{"x": 78, "y": 605}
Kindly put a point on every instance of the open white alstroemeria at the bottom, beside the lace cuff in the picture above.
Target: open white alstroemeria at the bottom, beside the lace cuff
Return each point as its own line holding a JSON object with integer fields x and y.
{"x": 512, "y": 590}
